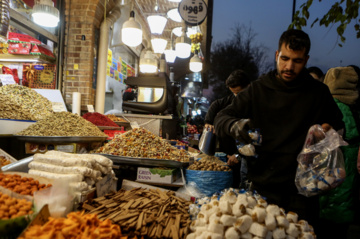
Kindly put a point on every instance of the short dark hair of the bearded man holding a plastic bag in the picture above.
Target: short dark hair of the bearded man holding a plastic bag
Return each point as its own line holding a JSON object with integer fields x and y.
{"x": 297, "y": 40}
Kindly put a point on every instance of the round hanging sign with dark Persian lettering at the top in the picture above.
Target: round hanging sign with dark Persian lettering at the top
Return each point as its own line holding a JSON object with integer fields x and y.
{"x": 193, "y": 12}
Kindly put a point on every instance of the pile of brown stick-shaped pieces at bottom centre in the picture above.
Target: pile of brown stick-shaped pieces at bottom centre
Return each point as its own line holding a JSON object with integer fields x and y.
{"x": 147, "y": 212}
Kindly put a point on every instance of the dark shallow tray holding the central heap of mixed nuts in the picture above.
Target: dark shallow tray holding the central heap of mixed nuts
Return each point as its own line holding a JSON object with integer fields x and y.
{"x": 146, "y": 161}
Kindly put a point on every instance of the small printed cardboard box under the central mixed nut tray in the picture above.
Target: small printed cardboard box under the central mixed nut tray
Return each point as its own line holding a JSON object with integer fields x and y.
{"x": 158, "y": 175}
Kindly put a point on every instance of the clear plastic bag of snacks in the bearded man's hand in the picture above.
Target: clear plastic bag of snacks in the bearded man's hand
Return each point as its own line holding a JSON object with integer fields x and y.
{"x": 320, "y": 163}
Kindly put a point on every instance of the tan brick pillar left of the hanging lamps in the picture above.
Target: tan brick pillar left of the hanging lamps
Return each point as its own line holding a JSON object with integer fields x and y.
{"x": 82, "y": 19}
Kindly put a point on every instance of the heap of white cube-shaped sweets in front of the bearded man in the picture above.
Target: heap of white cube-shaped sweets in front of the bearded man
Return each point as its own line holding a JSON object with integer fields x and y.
{"x": 244, "y": 216}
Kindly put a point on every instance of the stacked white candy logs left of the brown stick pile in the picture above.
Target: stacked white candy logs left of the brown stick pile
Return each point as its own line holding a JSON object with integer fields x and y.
{"x": 82, "y": 171}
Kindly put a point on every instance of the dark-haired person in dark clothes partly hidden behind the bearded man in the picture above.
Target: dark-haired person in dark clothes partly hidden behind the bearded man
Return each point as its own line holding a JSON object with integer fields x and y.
{"x": 237, "y": 81}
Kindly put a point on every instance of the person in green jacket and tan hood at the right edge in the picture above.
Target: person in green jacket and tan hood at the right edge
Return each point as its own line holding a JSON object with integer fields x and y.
{"x": 338, "y": 206}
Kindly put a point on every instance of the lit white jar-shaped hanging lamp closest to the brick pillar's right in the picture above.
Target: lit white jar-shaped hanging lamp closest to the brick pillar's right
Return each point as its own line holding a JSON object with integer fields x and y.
{"x": 131, "y": 33}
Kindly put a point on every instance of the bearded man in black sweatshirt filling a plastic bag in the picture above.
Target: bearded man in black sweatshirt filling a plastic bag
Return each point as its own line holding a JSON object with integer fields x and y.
{"x": 283, "y": 104}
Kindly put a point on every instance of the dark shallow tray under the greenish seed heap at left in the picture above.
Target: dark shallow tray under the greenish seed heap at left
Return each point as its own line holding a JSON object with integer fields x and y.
{"x": 60, "y": 139}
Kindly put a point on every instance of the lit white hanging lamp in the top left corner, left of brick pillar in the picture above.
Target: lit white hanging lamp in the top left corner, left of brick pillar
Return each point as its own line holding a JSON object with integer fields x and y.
{"x": 45, "y": 14}
